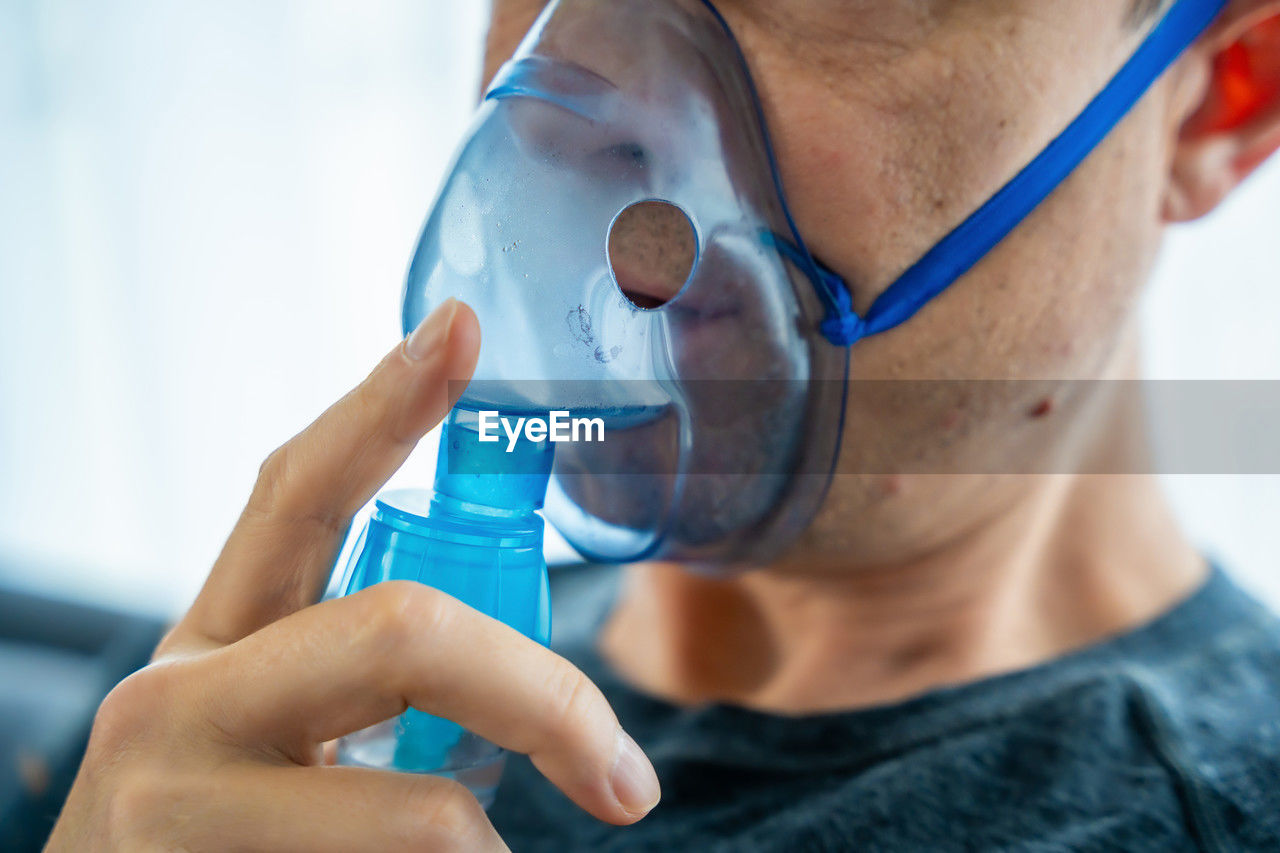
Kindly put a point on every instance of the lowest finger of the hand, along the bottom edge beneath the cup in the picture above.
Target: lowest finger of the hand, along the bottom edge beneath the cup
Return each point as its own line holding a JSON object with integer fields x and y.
{"x": 257, "y": 808}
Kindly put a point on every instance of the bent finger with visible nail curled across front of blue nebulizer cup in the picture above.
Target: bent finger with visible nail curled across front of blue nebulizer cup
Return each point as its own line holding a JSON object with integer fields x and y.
{"x": 349, "y": 664}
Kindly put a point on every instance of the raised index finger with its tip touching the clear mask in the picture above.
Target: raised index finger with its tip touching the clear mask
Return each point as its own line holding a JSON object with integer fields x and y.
{"x": 281, "y": 553}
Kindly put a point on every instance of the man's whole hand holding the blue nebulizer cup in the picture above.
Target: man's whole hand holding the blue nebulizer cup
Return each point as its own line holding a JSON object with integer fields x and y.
{"x": 220, "y": 743}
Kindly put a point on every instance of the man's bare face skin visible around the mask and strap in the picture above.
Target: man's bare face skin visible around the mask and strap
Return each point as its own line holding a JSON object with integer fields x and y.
{"x": 894, "y": 121}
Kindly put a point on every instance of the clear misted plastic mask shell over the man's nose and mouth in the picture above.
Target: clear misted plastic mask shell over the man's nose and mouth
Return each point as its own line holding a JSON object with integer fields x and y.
{"x": 605, "y": 106}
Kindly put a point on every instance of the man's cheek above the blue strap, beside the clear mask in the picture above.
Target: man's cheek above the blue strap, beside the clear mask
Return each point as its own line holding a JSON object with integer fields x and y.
{"x": 888, "y": 147}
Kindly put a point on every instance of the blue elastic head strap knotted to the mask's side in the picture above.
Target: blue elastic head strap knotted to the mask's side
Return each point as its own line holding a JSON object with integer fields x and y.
{"x": 962, "y": 250}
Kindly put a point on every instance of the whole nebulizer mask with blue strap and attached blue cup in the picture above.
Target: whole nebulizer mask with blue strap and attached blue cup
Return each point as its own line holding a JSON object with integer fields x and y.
{"x": 625, "y": 139}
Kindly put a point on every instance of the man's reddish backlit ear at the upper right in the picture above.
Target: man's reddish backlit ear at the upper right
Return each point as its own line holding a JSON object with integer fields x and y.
{"x": 1231, "y": 92}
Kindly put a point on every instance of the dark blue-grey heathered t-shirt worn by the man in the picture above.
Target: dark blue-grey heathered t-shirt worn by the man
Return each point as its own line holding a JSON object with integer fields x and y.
{"x": 1163, "y": 740}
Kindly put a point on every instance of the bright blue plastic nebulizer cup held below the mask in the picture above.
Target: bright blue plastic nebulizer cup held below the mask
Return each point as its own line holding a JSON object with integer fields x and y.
{"x": 478, "y": 539}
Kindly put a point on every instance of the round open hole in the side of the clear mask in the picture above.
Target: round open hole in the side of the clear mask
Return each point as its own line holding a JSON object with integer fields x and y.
{"x": 653, "y": 249}
